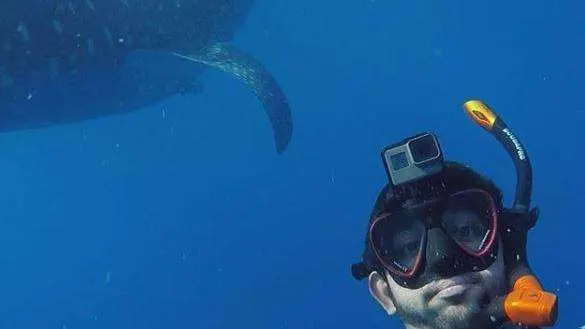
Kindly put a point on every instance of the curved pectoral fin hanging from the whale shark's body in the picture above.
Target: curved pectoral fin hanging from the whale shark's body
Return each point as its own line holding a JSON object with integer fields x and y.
{"x": 229, "y": 59}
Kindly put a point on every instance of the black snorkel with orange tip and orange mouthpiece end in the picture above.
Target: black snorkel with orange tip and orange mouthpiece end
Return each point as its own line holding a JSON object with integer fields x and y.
{"x": 527, "y": 303}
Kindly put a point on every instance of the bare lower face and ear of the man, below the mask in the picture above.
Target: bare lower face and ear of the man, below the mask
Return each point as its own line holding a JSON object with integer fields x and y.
{"x": 450, "y": 303}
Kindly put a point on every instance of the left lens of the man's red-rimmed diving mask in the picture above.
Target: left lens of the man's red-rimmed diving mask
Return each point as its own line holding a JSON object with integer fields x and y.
{"x": 397, "y": 240}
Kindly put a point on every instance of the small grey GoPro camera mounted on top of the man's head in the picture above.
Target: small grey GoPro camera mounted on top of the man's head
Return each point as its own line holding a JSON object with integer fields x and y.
{"x": 413, "y": 158}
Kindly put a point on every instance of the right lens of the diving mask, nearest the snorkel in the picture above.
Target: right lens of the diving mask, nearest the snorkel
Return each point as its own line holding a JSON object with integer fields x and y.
{"x": 469, "y": 218}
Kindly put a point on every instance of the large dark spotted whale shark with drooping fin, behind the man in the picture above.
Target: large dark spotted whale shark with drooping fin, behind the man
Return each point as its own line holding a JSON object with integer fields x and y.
{"x": 67, "y": 61}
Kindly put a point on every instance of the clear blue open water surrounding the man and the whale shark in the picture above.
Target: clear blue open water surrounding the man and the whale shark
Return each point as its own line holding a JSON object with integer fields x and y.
{"x": 181, "y": 215}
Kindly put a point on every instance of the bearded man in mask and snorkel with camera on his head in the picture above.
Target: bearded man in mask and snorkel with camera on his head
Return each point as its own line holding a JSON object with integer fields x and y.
{"x": 441, "y": 249}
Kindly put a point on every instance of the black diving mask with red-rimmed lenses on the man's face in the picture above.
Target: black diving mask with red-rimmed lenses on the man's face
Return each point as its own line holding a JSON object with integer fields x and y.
{"x": 468, "y": 218}
